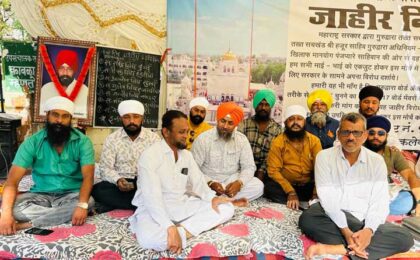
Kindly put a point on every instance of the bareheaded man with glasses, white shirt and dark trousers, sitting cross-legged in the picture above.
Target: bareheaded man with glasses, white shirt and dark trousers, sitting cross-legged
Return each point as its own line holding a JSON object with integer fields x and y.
{"x": 352, "y": 187}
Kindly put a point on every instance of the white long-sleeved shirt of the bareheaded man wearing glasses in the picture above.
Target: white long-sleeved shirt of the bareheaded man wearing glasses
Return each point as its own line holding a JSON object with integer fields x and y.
{"x": 360, "y": 189}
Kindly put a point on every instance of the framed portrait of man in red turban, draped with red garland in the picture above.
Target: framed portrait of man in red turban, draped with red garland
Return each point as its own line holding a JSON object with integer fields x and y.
{"x": 66, "y": 68}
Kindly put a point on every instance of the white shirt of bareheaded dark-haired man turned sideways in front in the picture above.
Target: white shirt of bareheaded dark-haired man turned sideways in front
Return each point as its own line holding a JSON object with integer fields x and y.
{"x": 166, "y": 185}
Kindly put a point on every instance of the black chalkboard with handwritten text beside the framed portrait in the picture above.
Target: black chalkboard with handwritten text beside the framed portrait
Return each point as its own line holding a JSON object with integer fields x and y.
{"x": 122, "y": 75}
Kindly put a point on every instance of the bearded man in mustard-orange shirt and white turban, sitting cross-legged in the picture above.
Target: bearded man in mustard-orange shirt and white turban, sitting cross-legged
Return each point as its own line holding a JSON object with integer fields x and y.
{"x": 290, "y": 162}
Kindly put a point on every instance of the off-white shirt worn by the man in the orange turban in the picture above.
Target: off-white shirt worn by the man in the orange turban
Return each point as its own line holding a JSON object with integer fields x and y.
{"x": 218, "y": 159}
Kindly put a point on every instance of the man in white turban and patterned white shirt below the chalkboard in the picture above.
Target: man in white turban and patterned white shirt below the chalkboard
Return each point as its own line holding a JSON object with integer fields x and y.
{"x": 120, "y": 154}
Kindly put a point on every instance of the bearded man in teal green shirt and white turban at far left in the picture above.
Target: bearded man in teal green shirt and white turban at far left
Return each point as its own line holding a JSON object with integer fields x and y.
{"x": 62, "y": 162}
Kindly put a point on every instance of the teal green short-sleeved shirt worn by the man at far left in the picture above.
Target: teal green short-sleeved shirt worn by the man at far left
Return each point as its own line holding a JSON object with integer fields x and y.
{"x": 52, "y": 172}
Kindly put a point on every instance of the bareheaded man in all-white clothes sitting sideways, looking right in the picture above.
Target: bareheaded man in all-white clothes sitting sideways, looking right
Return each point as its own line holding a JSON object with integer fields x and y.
{"x": 173, "y": 201}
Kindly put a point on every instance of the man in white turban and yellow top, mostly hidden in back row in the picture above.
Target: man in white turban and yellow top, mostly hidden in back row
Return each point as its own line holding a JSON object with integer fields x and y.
{"x": 198, "y": 109}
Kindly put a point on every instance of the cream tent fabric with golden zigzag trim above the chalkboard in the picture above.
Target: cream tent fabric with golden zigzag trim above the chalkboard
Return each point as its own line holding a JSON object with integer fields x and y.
{"x": 133, "y": 24}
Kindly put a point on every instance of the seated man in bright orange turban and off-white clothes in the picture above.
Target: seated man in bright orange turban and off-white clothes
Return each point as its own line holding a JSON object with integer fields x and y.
{"x": 224, "y": 155}
